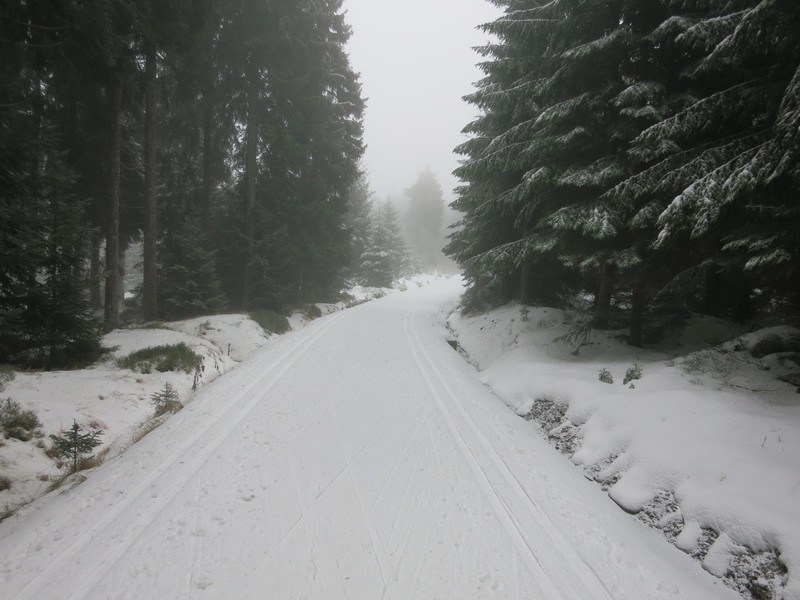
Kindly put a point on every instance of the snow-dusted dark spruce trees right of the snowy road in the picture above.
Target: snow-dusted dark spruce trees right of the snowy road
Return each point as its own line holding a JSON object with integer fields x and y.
{"x": 636, "y": 160}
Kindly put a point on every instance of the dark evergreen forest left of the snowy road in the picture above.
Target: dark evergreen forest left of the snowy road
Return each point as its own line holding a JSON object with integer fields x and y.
{"x": 222, "y": 136}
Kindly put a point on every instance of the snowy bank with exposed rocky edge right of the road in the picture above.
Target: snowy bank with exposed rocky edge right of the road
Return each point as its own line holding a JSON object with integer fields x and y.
{"x": 705, "y": 445}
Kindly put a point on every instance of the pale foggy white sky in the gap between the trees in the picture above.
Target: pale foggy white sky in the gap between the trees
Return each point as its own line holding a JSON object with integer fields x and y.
{"x": 416, "y": 62}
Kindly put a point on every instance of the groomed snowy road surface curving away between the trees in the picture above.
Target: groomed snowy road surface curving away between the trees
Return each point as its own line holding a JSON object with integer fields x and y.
{"x": 359, "y": 458}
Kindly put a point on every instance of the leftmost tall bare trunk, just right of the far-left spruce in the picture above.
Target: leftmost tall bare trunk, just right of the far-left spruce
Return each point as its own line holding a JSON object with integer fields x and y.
{"x": 112, "y": 206}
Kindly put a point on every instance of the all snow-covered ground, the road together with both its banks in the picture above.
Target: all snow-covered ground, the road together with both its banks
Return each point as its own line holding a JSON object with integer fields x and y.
{"x": 361, "y": 457}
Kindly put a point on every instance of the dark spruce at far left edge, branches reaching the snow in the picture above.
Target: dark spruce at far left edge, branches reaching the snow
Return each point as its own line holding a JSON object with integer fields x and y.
{"x": 44, "y": 315}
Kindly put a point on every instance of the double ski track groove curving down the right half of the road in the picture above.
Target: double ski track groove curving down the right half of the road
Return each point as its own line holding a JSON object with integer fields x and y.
{"x": 503, "y": 512}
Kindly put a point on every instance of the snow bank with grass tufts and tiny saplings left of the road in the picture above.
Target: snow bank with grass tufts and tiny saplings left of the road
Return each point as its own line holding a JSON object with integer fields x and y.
{"x": 113, "y": 400}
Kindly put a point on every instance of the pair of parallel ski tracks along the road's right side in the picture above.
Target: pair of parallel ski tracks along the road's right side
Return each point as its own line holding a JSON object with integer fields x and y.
{"x": 593, "y": 586}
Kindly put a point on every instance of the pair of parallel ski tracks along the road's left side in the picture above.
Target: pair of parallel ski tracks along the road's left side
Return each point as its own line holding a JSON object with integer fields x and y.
{"x": 239, "y": 409}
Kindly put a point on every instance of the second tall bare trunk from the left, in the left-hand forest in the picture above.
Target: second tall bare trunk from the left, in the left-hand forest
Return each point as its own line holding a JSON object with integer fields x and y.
{"x": 150, "y": 274}
